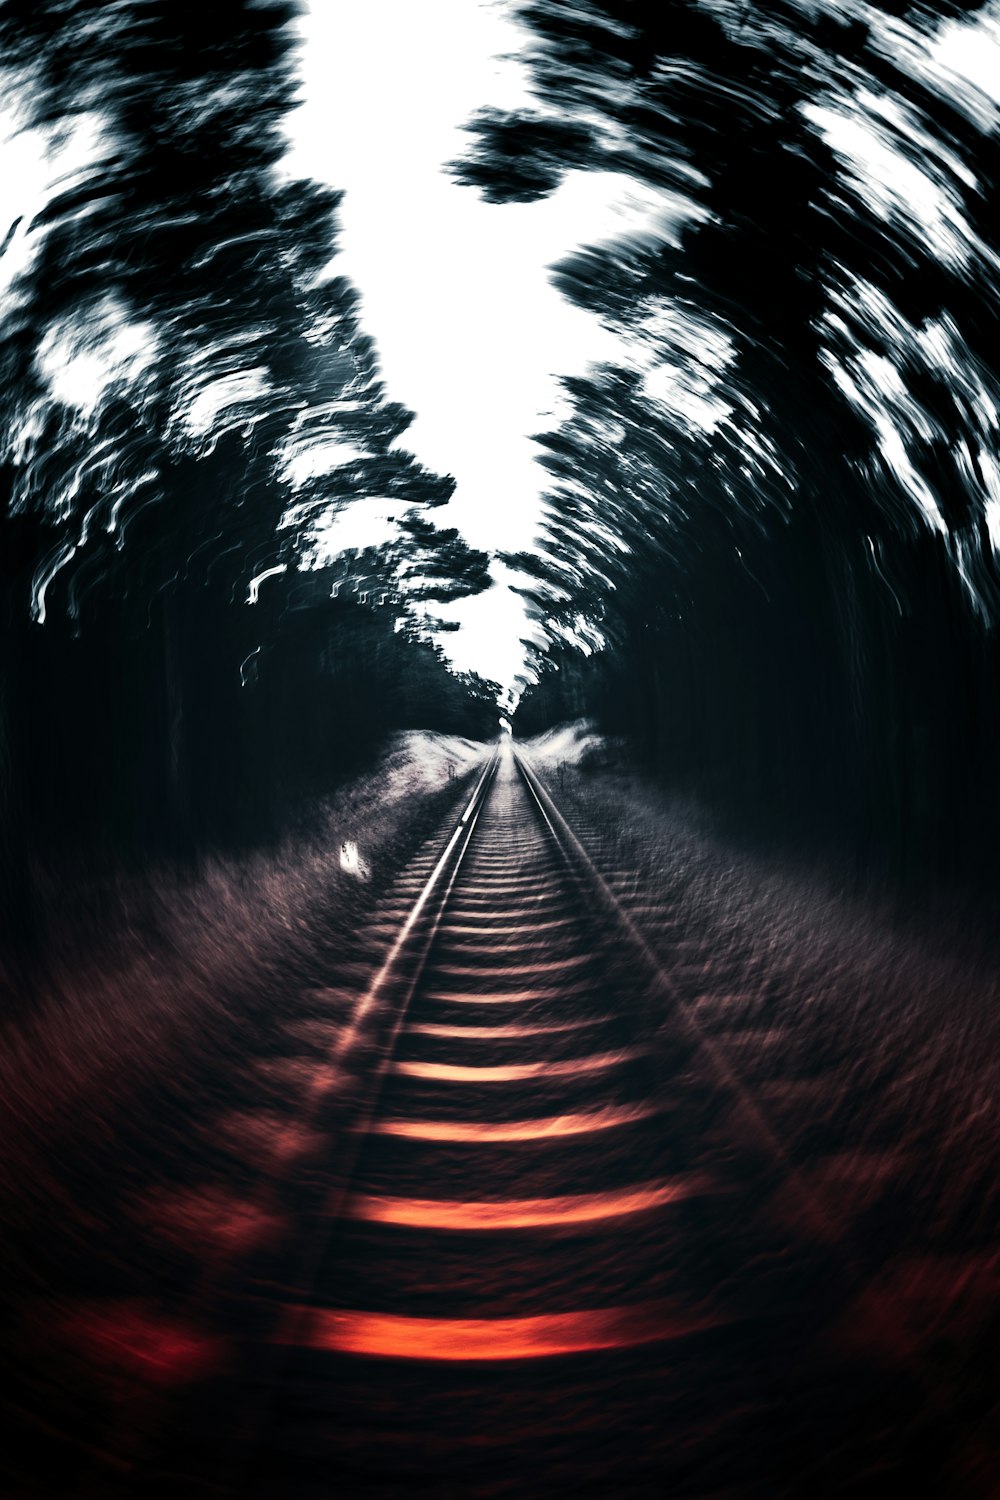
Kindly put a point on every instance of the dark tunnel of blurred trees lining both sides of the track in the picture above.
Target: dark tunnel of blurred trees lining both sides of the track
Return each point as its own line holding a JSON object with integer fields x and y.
{"x": 773, "y": 524}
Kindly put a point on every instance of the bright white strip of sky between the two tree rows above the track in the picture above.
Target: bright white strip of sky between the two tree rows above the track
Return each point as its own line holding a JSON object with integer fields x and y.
{"x": 455, "y": 292}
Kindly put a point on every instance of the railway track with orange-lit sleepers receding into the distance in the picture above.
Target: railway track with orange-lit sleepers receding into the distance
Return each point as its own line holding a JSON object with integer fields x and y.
{"x": 557, "y": 1250}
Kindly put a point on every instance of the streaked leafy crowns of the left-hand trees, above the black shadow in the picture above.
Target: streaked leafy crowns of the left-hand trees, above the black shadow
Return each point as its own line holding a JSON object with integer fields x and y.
{"x": 178, "y": 233}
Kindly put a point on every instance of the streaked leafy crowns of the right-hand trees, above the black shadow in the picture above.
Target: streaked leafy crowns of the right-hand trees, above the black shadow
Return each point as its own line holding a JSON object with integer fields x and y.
{"x": 777, "y": 326}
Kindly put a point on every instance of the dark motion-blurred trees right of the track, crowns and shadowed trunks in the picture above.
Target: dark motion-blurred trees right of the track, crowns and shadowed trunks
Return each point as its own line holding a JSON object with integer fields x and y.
{"x": 776, "y": 520}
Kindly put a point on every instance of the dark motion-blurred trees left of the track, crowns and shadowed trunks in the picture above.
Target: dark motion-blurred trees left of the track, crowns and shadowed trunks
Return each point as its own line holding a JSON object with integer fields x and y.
{"x": 188, "y": 401}
